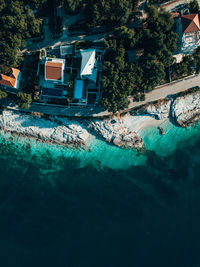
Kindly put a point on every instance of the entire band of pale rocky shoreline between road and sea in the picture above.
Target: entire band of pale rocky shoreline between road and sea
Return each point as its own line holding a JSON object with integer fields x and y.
{"x": 121, "y": 131}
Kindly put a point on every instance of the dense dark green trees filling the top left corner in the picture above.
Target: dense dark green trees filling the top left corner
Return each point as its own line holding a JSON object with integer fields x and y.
{"x": 17, "y": 23}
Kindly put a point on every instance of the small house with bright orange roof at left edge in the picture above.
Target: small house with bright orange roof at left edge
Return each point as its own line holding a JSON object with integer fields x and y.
{"x": 11, "y": 82}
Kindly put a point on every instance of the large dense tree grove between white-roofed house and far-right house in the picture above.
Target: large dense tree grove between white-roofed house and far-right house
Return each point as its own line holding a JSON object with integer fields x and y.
{"x": 121, "y": 79}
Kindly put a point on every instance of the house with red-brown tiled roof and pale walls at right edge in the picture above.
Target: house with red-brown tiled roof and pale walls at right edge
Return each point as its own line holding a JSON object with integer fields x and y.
{"x": 190, "y": 32}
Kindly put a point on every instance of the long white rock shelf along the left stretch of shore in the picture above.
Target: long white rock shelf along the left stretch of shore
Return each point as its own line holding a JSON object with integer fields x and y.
{"x": 60, "y": 131}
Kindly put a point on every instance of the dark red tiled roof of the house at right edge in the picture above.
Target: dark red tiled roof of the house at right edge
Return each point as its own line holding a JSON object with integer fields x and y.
{"x": 190, "y": 23}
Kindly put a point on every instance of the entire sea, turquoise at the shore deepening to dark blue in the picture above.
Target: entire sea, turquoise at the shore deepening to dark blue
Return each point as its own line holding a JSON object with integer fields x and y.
{"x": 109, "y": 207}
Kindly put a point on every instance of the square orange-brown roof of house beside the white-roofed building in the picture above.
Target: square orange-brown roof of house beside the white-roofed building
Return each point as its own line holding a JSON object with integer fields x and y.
{"x": 53, "y": 70}
